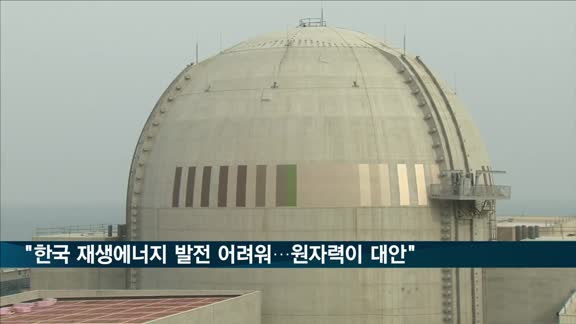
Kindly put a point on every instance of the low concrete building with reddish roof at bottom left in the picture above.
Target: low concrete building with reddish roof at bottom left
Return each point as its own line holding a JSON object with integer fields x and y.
{"x": 131, "y": 306}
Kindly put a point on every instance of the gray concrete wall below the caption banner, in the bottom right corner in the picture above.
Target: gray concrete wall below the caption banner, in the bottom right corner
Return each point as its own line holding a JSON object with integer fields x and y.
{"x": 528, "y": 296}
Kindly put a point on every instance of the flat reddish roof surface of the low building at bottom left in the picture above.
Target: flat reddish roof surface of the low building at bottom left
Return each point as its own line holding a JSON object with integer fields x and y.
{"x": 111, "y": 310}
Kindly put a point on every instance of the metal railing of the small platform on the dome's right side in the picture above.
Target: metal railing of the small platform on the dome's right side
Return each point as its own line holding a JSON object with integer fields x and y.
{"x": 477, "y": 192}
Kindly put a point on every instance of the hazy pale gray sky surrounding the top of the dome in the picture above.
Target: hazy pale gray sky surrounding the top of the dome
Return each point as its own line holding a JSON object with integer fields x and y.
{"x": 78, "y": 80}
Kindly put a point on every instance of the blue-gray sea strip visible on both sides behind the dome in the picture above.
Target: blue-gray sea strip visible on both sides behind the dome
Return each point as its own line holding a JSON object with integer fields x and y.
{"x": 20, "y": 222}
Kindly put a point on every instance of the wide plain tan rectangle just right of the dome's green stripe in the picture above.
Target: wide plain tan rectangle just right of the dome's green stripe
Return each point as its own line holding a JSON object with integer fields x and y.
{"x": 328, "y": 185}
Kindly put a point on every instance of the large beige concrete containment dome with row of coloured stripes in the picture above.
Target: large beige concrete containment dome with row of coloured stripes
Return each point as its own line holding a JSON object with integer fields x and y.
{"x": 317, "y": 133}
